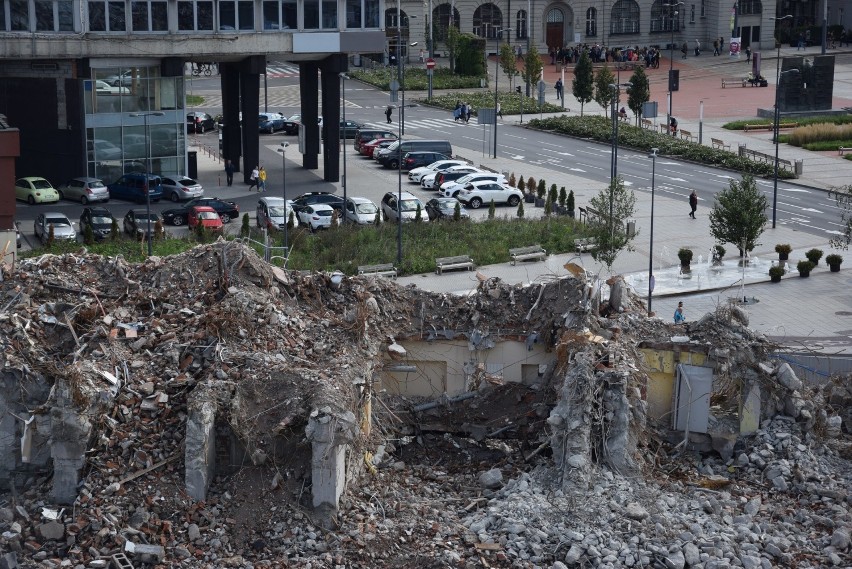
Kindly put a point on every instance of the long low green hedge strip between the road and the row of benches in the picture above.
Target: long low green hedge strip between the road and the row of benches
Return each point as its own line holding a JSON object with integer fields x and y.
{"x": 600, "y": 129}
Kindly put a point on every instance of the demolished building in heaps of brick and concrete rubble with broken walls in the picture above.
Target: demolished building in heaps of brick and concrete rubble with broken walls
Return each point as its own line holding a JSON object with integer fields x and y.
{"x": 209, "y": 410}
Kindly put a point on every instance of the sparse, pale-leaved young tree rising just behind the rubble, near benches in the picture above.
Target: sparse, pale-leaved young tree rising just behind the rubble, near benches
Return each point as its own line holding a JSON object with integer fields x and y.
{"x": 614, "y": 204}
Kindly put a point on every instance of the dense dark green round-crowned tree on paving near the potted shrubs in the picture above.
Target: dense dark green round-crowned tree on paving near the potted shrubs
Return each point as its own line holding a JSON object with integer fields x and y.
{"x": 739, "y": 214}
